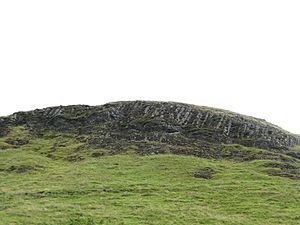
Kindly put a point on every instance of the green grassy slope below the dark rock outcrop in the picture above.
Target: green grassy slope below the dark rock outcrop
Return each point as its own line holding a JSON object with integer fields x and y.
{"x": 56, "y": 179}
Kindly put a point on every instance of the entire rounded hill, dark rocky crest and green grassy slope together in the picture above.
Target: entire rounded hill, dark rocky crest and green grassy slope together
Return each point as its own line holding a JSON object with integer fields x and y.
{"x": 145, "y": 162}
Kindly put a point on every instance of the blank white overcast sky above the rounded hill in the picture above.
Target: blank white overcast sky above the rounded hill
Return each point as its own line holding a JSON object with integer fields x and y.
{"x": 238, "y": 55}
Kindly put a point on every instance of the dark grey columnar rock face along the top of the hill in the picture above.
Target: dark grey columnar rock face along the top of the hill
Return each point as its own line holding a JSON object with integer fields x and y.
{"x": 120, "y": 124}
